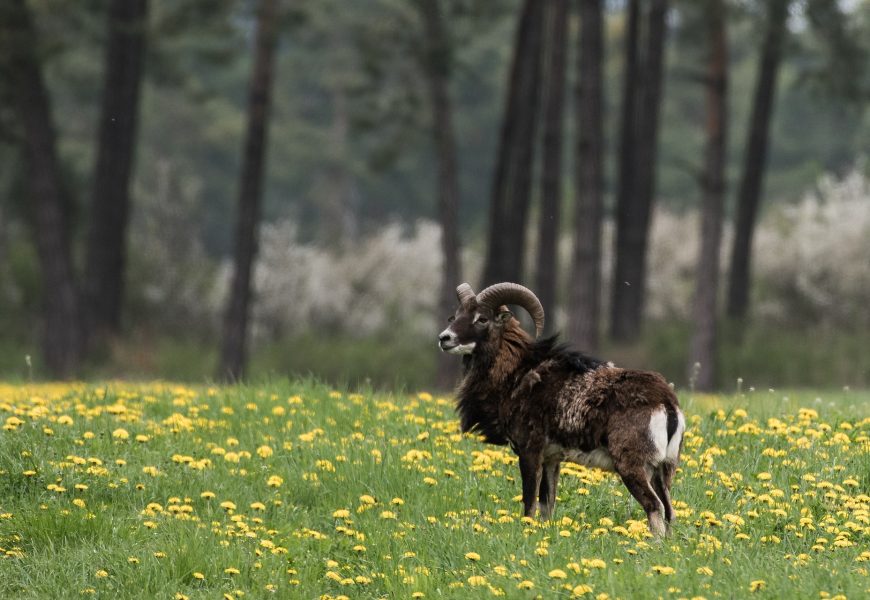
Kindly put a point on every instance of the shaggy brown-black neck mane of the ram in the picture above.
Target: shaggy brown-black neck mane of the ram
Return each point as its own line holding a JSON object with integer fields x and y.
{"x": 487, "y": 371}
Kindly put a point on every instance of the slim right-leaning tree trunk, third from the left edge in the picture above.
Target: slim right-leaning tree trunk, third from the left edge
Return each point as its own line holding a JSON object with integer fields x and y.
{"x": 234, "y": 347}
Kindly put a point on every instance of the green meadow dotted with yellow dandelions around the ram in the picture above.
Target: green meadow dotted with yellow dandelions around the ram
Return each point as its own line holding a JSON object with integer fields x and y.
{"x": 295, "y": 490}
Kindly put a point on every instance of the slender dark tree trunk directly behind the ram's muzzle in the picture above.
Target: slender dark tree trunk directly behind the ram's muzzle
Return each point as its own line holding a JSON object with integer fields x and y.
{"x": 438, "y": 62}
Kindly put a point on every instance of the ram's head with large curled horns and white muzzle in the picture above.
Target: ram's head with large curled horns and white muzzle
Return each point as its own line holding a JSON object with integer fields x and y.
{"x": 482, "y": 317}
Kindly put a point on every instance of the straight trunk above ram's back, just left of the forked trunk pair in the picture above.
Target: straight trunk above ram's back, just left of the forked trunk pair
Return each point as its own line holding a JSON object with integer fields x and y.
{"x": 585, "y": 289}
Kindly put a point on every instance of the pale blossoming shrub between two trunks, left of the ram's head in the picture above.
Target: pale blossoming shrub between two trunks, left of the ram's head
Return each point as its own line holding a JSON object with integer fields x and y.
{"x": 390, "y": 281}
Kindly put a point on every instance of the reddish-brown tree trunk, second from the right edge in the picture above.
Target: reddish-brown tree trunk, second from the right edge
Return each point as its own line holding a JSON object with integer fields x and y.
{"x": 702, "y": 354}
